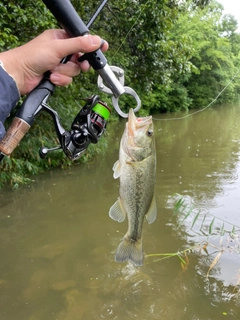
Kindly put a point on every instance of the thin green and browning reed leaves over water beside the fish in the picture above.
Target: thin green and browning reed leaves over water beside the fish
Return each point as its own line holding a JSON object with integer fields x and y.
{"x": 210, "y": 229}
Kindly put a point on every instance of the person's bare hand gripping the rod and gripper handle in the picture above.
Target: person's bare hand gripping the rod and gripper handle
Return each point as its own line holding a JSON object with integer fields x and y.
{"x": 28, "y": 63}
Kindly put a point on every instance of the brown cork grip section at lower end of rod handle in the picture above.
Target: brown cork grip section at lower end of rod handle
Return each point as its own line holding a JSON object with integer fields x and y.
{"x": 13, "y": 136}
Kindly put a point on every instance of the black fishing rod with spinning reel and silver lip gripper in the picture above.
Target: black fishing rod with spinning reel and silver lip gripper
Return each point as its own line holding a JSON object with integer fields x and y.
{"x": 91, "y": 121}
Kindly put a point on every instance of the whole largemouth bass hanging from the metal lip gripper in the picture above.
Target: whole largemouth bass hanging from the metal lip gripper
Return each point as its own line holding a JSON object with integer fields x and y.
{"x": 136, "y": 170}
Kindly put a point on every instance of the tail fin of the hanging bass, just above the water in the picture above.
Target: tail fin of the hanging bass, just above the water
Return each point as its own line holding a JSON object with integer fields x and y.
{"x": 131, "y": 250}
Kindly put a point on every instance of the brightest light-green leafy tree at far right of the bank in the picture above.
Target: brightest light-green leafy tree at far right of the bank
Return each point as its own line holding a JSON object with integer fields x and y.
{"x": 213, "y": 60}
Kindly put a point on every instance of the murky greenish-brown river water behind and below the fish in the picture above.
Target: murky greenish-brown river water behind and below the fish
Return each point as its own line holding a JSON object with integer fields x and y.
{"x": 57, "y": 242}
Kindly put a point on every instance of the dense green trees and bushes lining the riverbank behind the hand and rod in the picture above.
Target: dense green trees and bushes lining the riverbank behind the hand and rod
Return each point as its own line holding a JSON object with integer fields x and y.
{"x": 176, "y": 55}
